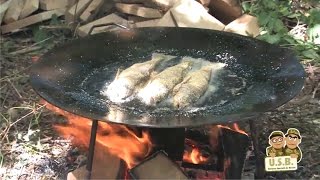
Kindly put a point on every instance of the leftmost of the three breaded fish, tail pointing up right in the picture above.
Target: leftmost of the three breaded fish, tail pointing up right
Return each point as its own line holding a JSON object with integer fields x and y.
{"x": 129, "y": 79}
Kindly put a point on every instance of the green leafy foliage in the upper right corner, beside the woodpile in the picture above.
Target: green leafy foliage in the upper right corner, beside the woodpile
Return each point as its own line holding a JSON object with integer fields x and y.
{"x": 274, "y": 17}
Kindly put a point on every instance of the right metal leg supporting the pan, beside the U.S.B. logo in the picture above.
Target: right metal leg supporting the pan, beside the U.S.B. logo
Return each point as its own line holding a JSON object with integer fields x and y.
{"x": 260, "y": 171}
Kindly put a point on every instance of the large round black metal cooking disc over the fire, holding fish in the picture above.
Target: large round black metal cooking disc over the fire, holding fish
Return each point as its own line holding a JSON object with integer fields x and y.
{"x": 72, "y": 75}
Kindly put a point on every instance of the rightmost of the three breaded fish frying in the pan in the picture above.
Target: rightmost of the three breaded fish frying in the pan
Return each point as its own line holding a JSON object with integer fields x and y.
{"x": 192, "y": 87}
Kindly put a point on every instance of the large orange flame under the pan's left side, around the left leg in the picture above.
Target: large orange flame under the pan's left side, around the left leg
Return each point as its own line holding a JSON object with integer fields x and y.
{"x": 119, "y": 140}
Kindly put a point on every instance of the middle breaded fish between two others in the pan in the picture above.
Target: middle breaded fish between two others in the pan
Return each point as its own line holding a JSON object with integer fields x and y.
{"x": 162, "y": 84}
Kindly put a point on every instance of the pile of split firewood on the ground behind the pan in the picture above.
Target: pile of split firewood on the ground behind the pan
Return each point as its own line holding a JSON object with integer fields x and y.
{"x": 81, "y": 15}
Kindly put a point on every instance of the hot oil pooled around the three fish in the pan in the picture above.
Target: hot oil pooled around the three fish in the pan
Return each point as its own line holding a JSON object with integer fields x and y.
{"x": 224, "y": 85}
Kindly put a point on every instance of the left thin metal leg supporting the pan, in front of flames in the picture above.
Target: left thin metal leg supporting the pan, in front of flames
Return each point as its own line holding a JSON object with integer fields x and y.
{"x": 94, "y": 128}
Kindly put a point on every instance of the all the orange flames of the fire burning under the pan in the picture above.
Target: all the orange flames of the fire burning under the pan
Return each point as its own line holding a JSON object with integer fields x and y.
{"x": 133, "y": 146}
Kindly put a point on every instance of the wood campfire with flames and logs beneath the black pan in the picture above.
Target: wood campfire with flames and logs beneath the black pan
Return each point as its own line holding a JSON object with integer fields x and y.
{"x": 218, "y": 152}
